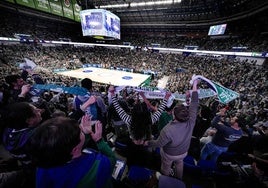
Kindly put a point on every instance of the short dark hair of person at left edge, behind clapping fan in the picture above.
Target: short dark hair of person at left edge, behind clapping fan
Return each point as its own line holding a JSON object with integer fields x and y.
{"x": 17, "y": 114}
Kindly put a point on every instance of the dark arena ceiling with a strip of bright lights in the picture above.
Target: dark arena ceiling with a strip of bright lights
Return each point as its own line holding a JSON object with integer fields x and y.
{"x": 176, "y": 13}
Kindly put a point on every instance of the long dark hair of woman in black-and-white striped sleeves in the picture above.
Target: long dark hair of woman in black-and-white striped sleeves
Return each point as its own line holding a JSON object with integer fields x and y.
{"x": 141, "y": 121}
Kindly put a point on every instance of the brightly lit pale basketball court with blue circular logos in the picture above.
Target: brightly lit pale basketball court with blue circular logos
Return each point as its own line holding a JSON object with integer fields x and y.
{"x": 107, "y": 76}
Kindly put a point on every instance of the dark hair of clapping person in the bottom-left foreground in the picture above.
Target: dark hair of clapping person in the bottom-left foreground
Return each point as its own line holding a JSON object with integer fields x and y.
{"x": 53, "y": 141}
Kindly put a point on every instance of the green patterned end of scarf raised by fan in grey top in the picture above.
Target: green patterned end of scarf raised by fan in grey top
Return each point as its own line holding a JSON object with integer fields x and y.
{"x": 225, "y": 95}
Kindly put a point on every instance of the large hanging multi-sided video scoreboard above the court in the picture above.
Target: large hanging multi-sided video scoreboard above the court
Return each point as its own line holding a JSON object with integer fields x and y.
{"x": 100, "y": 23}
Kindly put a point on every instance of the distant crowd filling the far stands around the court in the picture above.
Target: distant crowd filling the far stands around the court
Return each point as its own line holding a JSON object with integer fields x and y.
{"x": 251, "y": 83}
